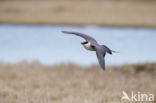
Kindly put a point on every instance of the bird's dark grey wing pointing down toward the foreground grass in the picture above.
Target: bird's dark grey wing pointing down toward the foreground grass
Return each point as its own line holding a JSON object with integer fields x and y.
{"x": 100, "y": 55}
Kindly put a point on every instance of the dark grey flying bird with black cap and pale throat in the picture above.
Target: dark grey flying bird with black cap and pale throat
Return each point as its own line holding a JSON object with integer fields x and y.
{"x": 92, "y": 45}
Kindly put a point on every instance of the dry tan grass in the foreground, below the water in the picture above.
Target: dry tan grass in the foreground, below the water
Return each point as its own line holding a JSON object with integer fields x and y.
{"x": 35, "y": 83}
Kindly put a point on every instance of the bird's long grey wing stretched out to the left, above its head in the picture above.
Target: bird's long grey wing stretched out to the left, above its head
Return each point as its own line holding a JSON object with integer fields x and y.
{"x": 86, "y": 37}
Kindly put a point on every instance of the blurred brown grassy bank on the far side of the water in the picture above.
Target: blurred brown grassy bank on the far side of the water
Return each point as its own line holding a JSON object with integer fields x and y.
{"x": 136, "y": 13}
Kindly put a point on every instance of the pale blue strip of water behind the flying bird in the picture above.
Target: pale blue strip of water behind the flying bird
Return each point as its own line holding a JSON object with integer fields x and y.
{"x": 48, "y": 45}
